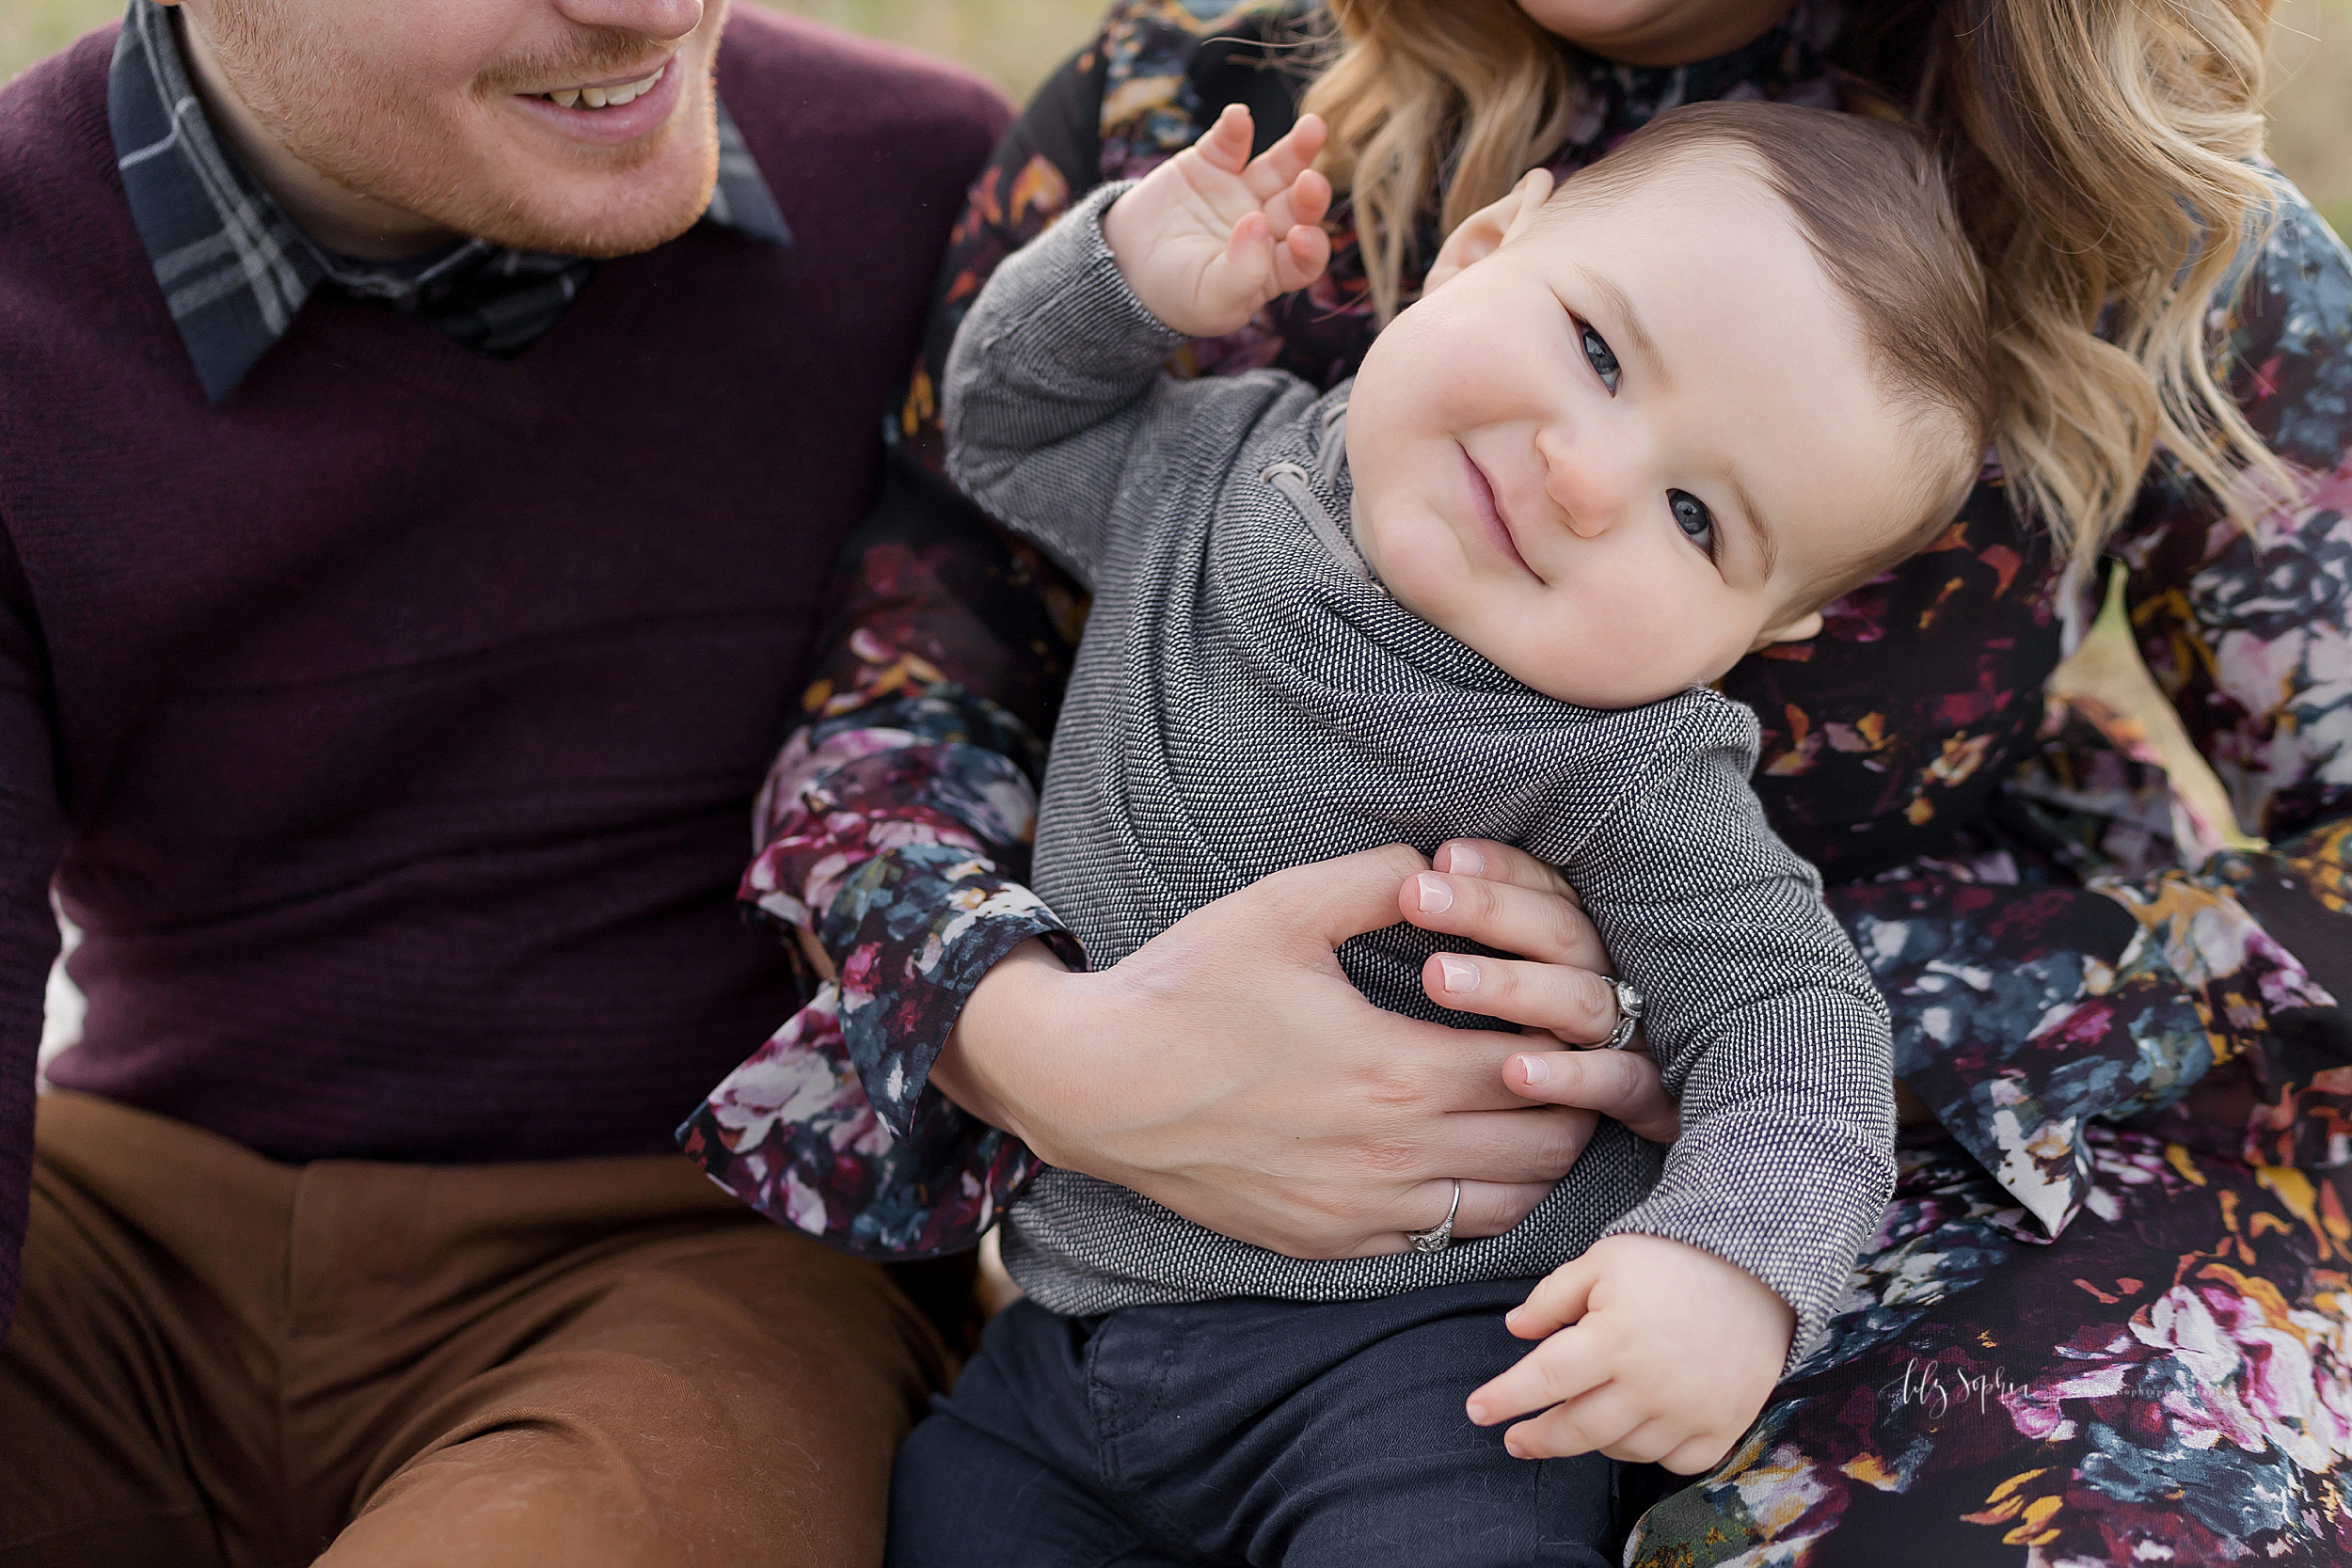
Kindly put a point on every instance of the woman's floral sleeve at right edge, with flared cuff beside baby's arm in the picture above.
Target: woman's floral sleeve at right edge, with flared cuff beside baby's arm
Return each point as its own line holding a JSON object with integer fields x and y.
{"x": 2205, "y": 1003}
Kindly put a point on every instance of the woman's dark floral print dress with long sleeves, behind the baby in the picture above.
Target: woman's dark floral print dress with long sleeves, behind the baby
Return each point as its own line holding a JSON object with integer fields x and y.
{"x": 2109, "y": 1318}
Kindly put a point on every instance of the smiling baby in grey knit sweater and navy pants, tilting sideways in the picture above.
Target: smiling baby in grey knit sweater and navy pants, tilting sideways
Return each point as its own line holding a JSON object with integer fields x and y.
{"x": 1633, "y": 431}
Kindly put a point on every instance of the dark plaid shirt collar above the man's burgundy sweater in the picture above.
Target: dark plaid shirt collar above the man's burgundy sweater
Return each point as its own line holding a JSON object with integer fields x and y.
{"x": 236, "y": 269}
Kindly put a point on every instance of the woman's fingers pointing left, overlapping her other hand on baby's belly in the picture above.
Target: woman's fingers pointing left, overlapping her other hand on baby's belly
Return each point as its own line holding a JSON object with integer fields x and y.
{"x": 1556, "y": 991}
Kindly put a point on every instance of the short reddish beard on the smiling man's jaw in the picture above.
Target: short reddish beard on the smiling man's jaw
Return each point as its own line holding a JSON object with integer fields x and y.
{"x": 361, "y": 130}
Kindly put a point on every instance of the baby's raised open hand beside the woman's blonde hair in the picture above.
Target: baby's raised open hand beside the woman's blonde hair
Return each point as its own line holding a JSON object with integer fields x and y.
{"x": 1215, "y": 234}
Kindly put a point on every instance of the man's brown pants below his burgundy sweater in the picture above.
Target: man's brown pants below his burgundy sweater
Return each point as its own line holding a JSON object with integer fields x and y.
{"x": 232, "y": 1362}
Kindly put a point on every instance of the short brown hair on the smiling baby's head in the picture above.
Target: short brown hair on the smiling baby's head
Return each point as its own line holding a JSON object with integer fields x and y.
{"x": 1871, "y": 203}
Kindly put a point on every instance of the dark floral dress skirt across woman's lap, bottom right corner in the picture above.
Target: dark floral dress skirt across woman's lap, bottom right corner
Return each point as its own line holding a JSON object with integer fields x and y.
{"x": 2167, "y": 1386}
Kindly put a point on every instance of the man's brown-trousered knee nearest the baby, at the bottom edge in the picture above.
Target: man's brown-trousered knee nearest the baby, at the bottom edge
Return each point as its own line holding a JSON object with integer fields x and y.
{"x": 735, "y": 1400}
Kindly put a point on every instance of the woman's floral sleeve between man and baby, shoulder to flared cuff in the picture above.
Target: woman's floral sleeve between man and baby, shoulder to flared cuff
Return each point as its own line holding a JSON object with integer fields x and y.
{"x": 893, "y": 831}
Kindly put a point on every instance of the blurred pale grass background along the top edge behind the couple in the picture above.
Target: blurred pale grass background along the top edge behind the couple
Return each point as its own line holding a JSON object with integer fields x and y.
{"x": 1020, "y": 41}
